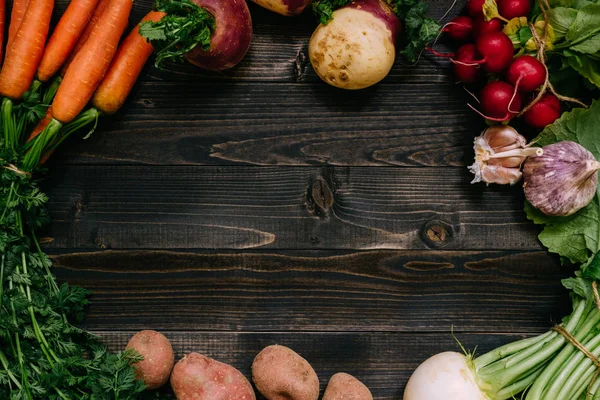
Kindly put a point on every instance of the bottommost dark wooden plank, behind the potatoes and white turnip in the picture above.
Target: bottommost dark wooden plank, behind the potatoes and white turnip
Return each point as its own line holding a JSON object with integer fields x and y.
{"x": 383, "y": 361}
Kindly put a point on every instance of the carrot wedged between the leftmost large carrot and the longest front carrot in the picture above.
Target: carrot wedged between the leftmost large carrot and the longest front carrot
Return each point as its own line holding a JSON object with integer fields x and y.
{"x": 65, "y": 36}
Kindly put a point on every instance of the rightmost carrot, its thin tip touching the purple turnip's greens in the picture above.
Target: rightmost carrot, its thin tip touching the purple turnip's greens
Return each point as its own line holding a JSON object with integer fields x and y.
{"x": 125, "y": 69}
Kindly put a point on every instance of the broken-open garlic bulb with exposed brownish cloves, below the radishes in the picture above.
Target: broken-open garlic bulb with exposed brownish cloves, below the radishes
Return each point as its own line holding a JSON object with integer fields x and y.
{"x": 499, "y": 153}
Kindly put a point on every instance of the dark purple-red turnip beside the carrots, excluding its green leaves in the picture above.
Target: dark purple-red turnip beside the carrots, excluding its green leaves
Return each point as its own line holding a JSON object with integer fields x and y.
{"x": 231, "y": 39}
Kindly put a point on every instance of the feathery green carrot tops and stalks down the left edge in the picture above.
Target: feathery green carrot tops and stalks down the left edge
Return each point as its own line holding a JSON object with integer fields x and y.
{"x": 43, "y": 354}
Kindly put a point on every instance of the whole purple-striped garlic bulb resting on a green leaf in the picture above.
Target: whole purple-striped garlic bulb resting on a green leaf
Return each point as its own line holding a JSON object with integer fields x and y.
{"x": 562, "y": 180}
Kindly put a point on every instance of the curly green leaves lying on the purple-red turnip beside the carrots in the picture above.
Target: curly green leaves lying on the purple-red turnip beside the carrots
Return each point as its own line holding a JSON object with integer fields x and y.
{"x": 186, "y": 26}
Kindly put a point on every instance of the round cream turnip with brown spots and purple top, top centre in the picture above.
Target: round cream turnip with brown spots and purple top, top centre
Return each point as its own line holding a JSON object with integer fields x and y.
{"x": 357, "y": 48}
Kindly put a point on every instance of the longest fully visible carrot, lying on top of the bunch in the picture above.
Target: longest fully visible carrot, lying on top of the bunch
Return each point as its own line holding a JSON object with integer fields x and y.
{"x": 91, "y": 63}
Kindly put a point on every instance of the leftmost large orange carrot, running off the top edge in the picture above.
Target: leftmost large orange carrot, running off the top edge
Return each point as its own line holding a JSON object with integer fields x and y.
{"x": 24, "y": 54}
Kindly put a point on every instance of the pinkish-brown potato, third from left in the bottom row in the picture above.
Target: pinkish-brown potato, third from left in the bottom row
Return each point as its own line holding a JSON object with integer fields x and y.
{"x": 280, "y": 373}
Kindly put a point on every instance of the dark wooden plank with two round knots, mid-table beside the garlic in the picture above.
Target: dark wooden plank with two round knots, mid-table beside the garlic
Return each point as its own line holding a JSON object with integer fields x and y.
{"x": 121, "y": 207}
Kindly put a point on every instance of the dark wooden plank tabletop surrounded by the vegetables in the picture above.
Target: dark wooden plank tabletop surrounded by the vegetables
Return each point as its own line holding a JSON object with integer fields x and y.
{"x": 232, "y": 211}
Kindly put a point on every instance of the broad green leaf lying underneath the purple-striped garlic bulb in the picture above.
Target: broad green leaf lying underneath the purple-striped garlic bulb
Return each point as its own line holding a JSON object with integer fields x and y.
{"x": 575, "y": 237}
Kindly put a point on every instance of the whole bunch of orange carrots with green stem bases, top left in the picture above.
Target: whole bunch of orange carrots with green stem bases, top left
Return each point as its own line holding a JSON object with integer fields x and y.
{"x": 82, "y": 62}
